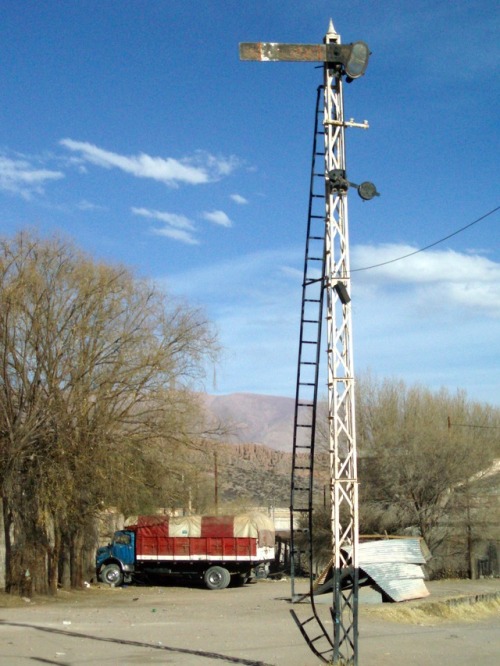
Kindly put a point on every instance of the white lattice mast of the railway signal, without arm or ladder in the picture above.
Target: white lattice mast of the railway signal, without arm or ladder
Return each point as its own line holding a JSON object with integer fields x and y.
{"x": 342, "y": 436}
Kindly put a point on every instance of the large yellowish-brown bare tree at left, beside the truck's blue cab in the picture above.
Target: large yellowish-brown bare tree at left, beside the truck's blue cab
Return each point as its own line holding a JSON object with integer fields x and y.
{"x": 95, "y": 395}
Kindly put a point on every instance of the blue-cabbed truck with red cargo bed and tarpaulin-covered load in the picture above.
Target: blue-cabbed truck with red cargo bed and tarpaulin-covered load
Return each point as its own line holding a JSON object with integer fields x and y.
{"x": 217, "y": 550}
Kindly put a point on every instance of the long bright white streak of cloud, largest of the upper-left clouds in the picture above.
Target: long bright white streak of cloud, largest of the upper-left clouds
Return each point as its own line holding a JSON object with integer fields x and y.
{"x": 197, "y": 170}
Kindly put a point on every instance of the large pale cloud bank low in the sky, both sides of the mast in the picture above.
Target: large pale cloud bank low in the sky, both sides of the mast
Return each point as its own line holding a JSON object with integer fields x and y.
{"x": 418, "y": 319}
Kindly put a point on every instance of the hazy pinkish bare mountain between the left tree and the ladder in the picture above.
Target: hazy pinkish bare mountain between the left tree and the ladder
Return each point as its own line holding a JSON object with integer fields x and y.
{"x": 256, "y": 419}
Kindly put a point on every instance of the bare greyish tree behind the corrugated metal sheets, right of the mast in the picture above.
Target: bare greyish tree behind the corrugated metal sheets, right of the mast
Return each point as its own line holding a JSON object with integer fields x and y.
{"x": 413, "y": 464}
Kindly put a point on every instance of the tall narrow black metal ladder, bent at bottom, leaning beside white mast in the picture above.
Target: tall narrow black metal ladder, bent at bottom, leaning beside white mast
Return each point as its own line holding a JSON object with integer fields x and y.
{"x": 306, "y": 397}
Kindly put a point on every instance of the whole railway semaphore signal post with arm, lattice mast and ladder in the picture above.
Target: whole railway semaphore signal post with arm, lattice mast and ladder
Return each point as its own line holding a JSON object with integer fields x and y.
{"x": 349, "y": 61}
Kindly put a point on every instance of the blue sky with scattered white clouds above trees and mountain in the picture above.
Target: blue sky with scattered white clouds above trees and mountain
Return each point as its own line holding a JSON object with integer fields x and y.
{"x": 133, "y": 128}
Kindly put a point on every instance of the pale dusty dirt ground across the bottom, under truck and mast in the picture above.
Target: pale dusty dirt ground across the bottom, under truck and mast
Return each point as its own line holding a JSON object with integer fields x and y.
{"x": 251, "y": 625}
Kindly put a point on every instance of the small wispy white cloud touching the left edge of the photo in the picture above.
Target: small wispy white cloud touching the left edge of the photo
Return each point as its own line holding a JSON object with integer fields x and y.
{"x": 20, "y": 176}
